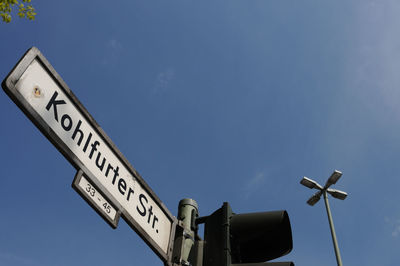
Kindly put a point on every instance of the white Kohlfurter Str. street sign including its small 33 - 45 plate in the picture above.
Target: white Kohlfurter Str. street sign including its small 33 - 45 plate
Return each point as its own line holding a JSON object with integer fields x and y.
{"x": 105, "y": 178}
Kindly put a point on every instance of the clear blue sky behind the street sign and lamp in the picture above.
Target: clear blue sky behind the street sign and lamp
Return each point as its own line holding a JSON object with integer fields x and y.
{"x": 216, "y": 101}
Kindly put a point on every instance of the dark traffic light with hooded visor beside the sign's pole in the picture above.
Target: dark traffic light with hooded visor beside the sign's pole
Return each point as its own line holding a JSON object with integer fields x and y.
{"x": 246, "y": 239}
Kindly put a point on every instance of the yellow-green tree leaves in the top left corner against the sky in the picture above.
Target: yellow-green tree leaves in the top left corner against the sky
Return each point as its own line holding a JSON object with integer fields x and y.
{"x": 25, "y": 9}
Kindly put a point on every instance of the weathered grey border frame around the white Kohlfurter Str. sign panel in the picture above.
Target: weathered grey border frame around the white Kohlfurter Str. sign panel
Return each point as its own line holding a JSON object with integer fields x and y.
{"x": 8, "y": 86}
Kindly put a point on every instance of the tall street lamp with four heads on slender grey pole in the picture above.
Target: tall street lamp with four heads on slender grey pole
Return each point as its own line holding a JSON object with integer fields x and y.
{"x": 324, "y": 191}
